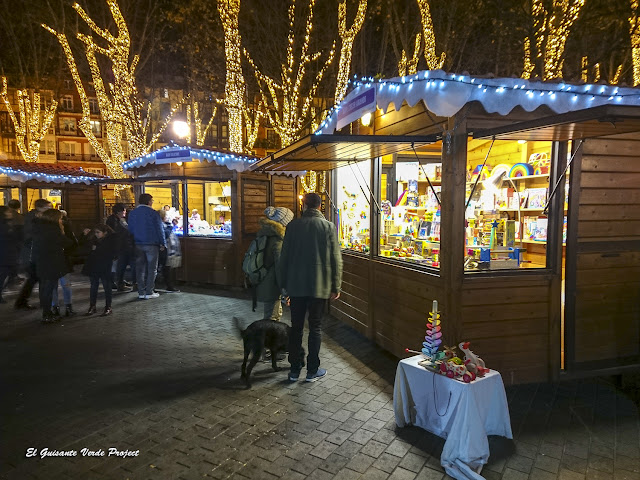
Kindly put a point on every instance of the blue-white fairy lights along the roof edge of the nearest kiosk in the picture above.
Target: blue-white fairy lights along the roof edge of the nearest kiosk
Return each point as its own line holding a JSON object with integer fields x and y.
{"x": 434, "y": 82}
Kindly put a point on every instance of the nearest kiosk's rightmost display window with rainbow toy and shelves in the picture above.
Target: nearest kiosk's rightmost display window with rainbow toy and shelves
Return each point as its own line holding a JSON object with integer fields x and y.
{"x": 505, "y": 222}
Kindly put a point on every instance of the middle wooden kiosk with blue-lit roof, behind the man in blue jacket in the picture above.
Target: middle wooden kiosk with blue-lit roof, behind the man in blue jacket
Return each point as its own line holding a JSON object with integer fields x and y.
{"x": 229, "y": 201}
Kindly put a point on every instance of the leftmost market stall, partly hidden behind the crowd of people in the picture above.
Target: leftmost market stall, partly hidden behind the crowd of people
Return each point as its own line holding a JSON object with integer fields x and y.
{"x": 67, "y": 188}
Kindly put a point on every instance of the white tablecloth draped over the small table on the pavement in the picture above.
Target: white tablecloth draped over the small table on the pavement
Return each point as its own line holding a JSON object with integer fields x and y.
{"x": 463, "y": 413}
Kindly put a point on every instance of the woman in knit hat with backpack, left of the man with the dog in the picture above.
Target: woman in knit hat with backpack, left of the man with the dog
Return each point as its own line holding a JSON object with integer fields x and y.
{"x": 268, "y": 290}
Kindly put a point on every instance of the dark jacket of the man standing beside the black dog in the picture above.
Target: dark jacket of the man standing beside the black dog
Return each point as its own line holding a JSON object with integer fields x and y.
{"x": 310, "y": 261}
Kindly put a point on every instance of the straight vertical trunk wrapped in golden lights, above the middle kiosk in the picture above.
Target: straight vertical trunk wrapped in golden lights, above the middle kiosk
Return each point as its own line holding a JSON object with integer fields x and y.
{"x": 234, "y": 89}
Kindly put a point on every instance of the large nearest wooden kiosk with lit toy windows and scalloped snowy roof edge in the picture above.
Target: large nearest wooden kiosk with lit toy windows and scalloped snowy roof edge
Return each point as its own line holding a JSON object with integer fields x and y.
{"x": 543, "y": 284}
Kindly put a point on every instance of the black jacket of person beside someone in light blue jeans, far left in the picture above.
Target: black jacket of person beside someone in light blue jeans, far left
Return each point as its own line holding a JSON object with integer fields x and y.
{"x": 48, "y": 251}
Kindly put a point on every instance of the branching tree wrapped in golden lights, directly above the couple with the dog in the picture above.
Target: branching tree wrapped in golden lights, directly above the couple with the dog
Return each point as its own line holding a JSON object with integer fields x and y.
{"x": 291, "y": 109}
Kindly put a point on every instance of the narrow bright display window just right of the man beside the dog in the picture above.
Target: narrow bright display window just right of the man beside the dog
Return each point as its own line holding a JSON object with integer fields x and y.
{"x": 352, "y": 202}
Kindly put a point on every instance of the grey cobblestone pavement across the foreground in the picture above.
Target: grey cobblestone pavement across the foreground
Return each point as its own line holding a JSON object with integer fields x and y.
{"x": 161, "y": 377}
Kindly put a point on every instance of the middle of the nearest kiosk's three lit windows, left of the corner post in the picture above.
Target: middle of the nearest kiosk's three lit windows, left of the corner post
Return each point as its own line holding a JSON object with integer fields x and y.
{"x": 410, "y": 209}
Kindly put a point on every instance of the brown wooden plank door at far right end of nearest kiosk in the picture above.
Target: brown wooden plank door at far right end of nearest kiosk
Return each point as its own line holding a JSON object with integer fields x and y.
{"x": 602, "y": 315}
